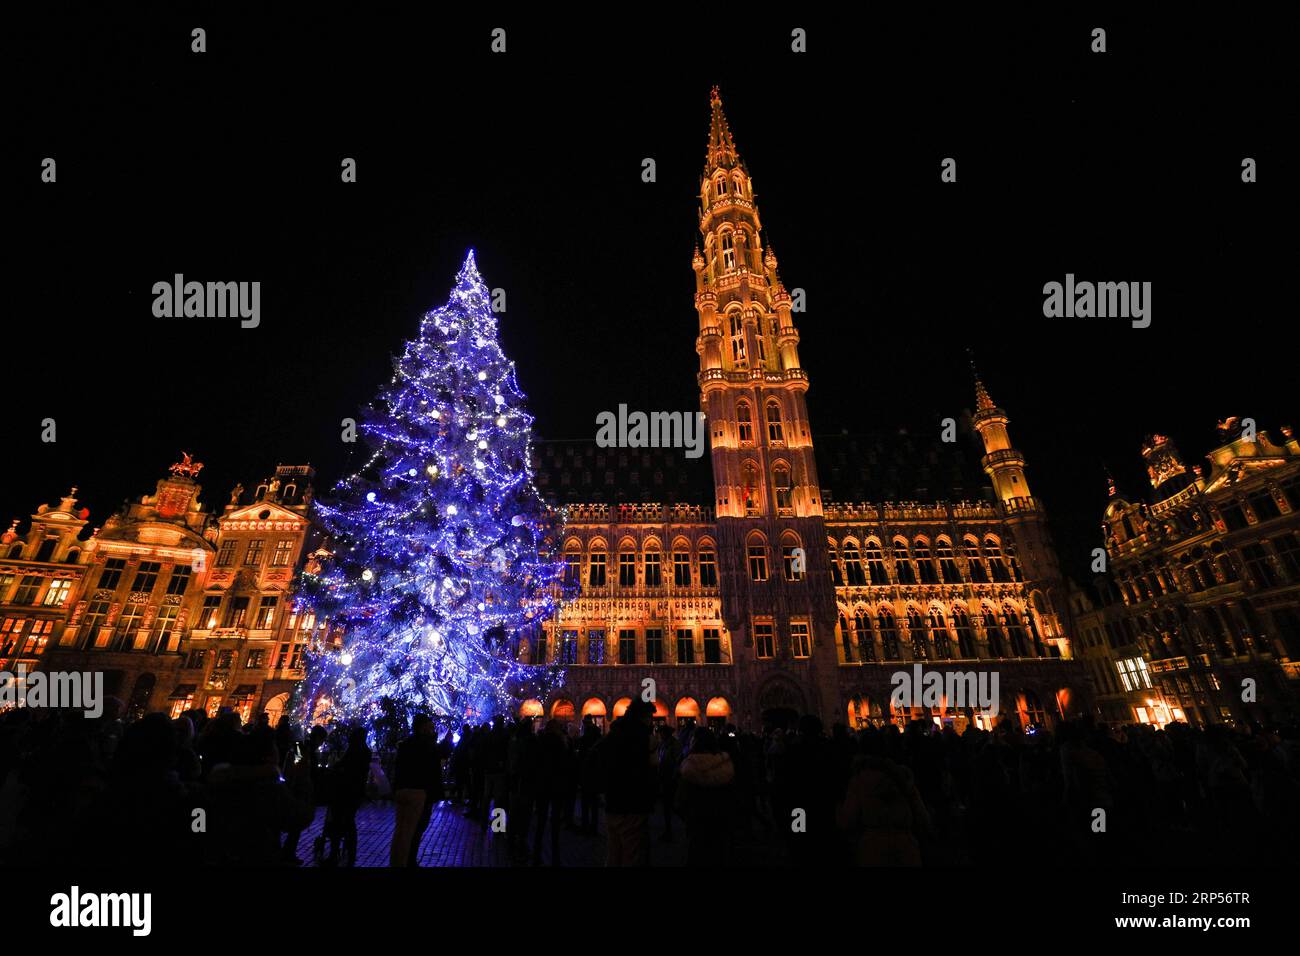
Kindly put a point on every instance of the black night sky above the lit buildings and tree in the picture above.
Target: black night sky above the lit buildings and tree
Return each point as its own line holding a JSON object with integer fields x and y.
{"x": 226, "y": 167}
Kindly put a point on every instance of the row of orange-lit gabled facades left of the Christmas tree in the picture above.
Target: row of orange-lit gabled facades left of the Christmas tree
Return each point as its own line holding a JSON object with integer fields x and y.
{"x": 179, "y": 608}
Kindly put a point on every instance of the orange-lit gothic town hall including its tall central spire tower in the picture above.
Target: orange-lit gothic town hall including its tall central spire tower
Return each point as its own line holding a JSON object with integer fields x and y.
{"x": 772, "y": 598}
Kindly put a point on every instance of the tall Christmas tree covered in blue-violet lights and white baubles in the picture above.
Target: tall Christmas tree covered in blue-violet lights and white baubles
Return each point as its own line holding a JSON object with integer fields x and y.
{"x": 443, "y": 551}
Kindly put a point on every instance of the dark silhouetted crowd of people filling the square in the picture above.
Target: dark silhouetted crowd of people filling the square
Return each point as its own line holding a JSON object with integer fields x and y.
{"x": 198, "y": 790}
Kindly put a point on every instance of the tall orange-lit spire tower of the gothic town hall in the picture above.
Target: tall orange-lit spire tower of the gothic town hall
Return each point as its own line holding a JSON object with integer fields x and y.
{"x": 778, "y": 596}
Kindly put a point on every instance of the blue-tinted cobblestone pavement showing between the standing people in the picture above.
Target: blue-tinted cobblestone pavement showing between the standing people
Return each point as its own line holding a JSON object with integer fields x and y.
{"x": 454, "y": 840}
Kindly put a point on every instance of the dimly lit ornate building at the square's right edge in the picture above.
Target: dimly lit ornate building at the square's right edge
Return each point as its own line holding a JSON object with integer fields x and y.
{"x": 1201, "y": 605}
